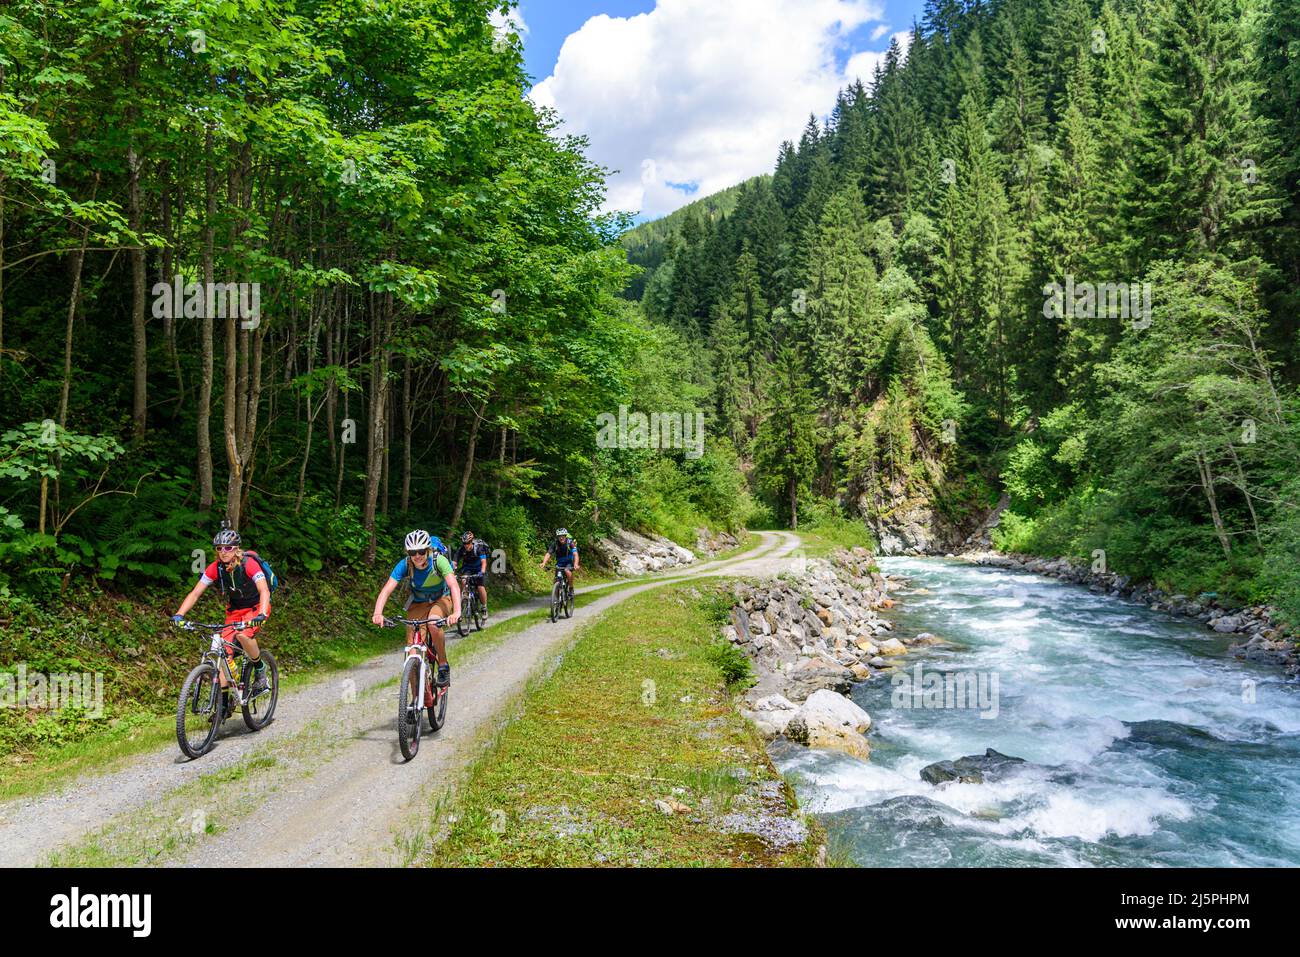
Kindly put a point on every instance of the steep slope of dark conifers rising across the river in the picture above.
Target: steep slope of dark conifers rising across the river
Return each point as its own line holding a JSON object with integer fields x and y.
{"x": 1050, "y": 250}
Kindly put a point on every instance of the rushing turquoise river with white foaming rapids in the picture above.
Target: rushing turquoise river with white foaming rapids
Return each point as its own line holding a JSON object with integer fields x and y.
{"x": 1145, "y": 743}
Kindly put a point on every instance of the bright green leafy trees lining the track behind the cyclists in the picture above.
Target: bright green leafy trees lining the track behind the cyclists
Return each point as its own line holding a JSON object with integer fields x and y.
{"x": 315, "y": 267}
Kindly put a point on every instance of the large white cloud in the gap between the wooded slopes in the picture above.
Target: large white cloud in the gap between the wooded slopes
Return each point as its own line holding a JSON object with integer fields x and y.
{"x": 701, "y": 92}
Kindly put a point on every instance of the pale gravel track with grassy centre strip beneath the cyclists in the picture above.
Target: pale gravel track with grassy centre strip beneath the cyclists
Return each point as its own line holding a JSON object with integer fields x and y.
{"x": 326, "y": 783}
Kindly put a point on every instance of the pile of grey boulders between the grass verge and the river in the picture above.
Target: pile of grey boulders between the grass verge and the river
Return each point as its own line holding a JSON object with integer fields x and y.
{"x": 811, "y": 635}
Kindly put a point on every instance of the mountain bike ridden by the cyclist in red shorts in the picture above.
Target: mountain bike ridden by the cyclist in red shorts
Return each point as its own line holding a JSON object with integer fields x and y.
{"x": 205, "y": 704}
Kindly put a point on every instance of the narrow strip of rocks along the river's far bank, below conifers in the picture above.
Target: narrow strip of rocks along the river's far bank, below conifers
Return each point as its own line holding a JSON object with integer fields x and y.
{"x": 1259, "y": 635}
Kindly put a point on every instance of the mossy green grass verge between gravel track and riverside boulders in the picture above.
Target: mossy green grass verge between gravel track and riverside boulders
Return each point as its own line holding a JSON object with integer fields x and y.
{"x": 636, "y": 713}
